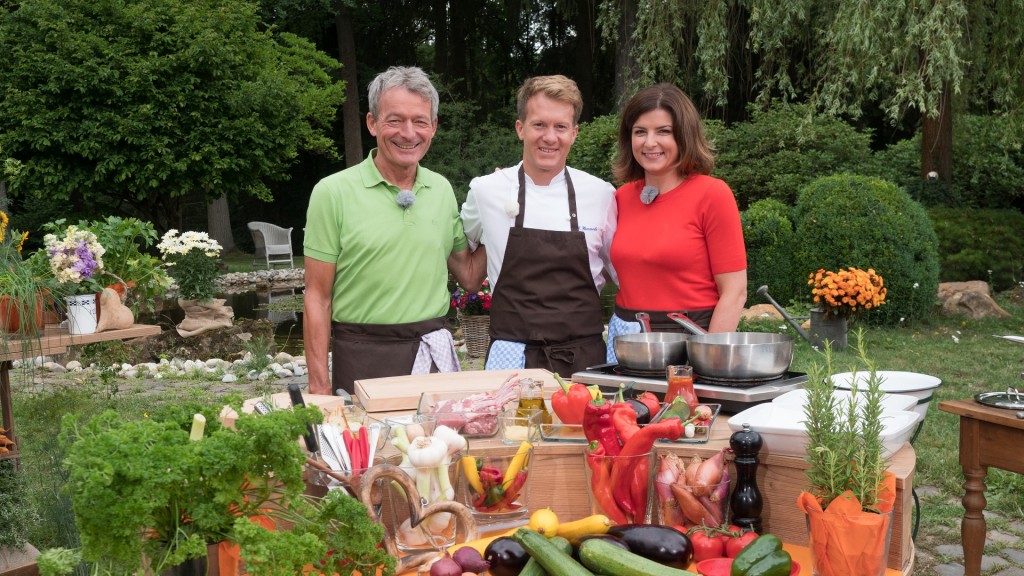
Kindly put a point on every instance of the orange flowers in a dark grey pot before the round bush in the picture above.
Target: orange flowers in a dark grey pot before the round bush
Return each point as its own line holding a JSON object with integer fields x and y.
{"x": 842, "y": 297}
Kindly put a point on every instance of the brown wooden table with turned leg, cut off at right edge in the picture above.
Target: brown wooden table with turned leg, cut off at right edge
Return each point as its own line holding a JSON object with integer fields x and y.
{"x": 988, "y": 438}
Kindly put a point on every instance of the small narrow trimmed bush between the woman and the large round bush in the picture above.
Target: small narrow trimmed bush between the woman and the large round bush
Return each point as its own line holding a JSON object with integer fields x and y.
{"x": 770, "y": 237}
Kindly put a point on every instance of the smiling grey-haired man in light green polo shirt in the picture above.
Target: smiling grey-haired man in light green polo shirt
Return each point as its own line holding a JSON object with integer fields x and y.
{"x": 380, "y": 238}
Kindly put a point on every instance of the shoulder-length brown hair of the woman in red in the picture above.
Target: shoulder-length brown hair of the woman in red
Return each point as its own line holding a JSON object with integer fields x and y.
{"x": 696, "y": 155}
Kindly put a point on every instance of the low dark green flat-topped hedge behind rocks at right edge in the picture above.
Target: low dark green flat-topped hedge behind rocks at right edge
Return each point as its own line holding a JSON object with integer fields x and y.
{"x": 980, "y": 245}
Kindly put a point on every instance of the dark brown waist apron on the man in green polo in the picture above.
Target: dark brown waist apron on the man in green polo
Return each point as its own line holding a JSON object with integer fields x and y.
{"x": 376, "y": 351}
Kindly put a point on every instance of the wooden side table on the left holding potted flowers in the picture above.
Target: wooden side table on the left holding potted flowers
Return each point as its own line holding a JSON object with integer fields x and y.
{"x": 53, "y": 341}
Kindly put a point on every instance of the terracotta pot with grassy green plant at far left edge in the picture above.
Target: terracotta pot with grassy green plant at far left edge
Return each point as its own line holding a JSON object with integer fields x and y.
{"x": 24, "y": 287}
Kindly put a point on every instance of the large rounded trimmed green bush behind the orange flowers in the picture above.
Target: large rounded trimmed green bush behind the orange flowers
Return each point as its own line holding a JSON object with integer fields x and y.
{"x": 849, "y": 221}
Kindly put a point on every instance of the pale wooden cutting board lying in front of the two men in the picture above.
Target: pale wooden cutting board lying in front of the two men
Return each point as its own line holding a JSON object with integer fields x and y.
{"x": 403, "y": 393}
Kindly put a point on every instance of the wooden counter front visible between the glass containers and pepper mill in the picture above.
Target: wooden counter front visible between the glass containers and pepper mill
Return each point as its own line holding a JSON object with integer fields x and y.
{"x": 560, "y": 482}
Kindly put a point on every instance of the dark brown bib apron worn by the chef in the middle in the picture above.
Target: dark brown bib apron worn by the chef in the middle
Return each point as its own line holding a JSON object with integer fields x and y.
{"x": 545, "y": 297}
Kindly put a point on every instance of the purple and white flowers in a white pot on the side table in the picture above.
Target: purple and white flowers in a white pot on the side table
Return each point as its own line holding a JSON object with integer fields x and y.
{"x": 76, "y": 259}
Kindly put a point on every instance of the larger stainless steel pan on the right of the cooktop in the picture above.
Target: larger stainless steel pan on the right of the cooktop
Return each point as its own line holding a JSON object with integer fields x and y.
{"x": 737, "y": 356}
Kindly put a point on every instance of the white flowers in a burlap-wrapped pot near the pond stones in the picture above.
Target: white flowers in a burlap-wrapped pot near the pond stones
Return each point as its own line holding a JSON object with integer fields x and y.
{"x": 193, "y": 260}
